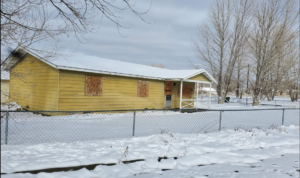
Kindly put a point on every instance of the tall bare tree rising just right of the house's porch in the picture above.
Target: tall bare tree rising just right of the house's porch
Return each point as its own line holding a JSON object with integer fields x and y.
{"x": 222, "y": 40}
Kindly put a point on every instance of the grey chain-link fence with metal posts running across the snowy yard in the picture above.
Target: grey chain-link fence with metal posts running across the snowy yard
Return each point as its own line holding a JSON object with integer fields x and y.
{"x": 26, "y": 127}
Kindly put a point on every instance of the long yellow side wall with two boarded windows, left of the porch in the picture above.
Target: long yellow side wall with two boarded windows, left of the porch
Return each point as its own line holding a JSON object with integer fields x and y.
{"x": 118, "y": 93}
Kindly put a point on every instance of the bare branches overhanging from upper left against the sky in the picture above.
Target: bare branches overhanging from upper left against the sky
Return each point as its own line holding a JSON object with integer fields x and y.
{"x": 27, "y": 22}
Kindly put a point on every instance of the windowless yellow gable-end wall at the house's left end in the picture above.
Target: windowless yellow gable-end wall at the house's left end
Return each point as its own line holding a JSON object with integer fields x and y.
{"x": 34, "y": 83}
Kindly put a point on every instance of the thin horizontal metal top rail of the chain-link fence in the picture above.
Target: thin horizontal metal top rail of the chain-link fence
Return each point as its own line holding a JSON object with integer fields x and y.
{"x": 132, "y": 110}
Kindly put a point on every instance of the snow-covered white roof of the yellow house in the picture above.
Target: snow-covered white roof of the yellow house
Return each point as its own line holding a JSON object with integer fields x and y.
{"x": 112, "y": 67}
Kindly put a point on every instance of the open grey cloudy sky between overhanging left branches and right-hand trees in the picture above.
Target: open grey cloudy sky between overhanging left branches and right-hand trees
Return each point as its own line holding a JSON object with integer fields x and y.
{"x": 166, "y": 40}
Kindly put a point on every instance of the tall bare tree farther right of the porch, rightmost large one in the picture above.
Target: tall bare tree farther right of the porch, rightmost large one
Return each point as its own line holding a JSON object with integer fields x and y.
{"x": 272, "y": 20}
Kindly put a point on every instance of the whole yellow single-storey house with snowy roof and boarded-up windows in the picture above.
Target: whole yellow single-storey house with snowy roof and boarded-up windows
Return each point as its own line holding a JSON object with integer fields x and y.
{"x": 92, "y": 83}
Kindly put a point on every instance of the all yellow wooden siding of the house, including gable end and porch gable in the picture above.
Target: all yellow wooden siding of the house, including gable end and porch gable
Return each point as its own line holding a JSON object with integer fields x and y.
{"x": 41, "y": 87}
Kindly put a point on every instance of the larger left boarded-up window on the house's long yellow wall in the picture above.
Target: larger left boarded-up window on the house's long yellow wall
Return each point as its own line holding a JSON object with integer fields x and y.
{"x": 93, "y": 85}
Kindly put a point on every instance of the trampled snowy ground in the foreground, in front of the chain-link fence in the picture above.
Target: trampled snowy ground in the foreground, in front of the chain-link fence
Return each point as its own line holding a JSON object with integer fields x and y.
{"x": 270, "y": 153}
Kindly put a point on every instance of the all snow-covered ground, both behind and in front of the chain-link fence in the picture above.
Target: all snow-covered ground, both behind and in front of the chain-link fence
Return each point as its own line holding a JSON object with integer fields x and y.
{"x": 251, "y": 143}
